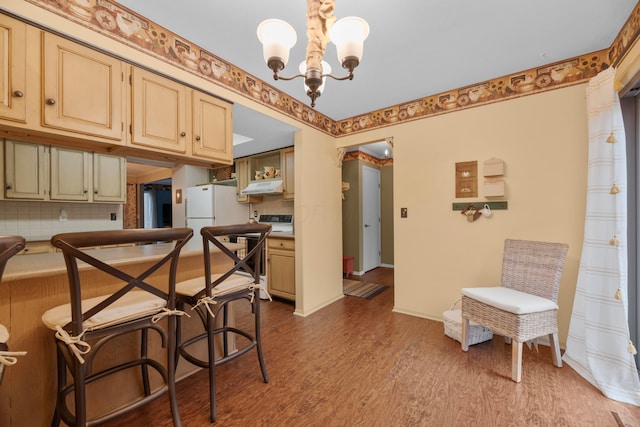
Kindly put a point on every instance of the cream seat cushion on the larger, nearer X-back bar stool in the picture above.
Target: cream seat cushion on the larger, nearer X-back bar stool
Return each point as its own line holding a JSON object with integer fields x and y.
{"x": 133, "y": 305}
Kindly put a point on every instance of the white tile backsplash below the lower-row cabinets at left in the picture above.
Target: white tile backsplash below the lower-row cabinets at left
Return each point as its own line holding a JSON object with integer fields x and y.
{"x": 41, "y": 220}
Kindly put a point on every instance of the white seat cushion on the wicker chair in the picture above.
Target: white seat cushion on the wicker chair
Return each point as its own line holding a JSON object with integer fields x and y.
{"x": 510, "y": 300}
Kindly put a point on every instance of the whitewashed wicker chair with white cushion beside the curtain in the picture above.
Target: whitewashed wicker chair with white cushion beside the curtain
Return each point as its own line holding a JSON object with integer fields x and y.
{"x": 525, "y": 306}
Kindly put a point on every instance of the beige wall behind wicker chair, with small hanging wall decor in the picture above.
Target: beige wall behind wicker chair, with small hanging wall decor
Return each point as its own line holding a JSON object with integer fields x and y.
{"x": 542, "y": 139}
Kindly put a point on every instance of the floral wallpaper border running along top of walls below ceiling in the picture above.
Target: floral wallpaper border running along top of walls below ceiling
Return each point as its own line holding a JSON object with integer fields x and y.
{"x": 113, "y": 20}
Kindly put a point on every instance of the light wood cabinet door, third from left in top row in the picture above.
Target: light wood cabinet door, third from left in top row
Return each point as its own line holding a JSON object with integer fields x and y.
{"x": 159, "y": 119}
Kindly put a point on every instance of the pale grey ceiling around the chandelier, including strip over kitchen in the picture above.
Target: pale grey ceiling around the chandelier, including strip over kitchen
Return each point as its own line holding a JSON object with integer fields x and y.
{"x": 415, "y": 50}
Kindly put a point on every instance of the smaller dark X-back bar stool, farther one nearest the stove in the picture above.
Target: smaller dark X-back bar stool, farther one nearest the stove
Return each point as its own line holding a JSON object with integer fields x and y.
{"x": 212, "y": 294}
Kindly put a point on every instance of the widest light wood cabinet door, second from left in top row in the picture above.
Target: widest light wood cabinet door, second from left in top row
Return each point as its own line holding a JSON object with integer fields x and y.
{"x": 83, "y": 90}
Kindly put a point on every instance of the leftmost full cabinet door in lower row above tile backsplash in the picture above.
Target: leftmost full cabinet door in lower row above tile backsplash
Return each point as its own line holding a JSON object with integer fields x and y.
{"x": 25, "y": 166}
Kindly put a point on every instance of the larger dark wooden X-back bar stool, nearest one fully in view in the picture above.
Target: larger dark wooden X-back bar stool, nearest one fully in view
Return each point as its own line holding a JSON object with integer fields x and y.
{"x": 85, "y": 326}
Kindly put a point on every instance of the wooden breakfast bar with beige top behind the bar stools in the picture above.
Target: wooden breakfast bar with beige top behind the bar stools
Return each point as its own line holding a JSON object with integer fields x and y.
{"x": 32, "y": 284}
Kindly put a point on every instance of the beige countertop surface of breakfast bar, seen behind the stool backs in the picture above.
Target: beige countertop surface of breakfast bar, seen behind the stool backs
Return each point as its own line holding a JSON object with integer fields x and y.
{"x": 42, "y": 265}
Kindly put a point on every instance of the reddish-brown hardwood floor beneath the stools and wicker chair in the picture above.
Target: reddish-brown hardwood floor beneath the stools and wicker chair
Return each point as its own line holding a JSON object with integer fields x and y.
{"x": 356, "y": 363}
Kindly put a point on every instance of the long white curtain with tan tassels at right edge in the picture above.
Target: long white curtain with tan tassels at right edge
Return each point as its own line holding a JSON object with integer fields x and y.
{"x": 598, "y": 345}
